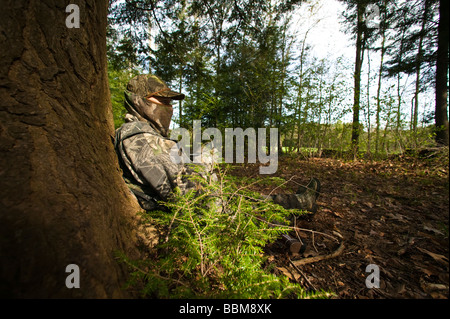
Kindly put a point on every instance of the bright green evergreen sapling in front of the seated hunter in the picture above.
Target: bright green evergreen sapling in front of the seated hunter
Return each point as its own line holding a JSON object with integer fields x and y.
{"x": 212, "y": 246}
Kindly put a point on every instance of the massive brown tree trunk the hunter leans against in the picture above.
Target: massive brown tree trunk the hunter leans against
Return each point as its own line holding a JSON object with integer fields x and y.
{"x": 62, "y": 197}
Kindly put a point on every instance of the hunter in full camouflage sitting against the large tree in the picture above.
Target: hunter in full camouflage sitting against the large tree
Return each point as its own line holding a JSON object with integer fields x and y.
{"x": 144, "y": 149}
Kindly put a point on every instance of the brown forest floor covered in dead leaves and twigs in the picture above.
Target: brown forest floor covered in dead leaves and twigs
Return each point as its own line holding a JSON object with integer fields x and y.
{"x": 391, "y": 213}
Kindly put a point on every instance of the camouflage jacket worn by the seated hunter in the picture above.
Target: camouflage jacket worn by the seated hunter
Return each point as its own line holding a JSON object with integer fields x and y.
{"x": 148, "y": 170}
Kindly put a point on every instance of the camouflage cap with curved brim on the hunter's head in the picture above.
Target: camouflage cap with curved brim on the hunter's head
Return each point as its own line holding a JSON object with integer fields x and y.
{"x": 148, "y": 85}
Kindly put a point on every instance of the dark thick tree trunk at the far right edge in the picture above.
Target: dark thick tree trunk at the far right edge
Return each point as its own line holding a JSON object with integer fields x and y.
{"x": 442, "y": 134}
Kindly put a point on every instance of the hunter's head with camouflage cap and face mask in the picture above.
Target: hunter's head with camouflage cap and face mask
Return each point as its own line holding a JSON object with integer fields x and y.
{"x": 146, "y": 86}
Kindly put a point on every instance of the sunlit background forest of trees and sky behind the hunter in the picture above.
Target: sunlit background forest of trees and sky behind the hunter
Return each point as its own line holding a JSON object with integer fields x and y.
{"x": 256, "y": 64}
